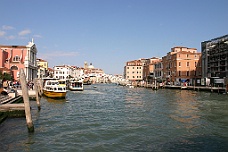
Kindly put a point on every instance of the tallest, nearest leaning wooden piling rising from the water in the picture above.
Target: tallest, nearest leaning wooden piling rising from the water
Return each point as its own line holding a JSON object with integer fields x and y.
{"x": 26, "y": 101}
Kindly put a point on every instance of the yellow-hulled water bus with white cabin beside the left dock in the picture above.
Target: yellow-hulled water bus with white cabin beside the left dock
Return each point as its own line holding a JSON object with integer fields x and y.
{"x": 54, "y": 88}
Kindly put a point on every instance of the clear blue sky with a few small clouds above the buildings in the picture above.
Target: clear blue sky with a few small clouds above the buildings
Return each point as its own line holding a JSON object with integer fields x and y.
{"x": 108, "y": 33}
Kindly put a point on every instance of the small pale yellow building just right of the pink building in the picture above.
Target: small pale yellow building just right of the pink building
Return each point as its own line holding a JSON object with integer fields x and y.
{"x": 42, "y": 68}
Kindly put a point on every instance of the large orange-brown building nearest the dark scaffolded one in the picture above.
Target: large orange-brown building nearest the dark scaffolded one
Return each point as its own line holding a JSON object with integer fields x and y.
{"x": 182, "y": 64}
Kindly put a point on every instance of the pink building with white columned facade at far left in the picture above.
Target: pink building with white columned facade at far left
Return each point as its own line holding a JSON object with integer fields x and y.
{"x": 14, "y": 58}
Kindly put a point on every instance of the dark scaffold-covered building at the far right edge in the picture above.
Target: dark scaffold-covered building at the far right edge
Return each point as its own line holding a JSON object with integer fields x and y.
{"x": 215, "y": 57}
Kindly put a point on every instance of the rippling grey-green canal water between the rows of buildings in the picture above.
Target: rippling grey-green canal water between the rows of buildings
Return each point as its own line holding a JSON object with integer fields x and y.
{"x": 107, "y": 117}
